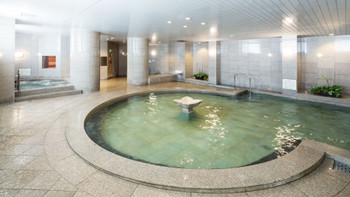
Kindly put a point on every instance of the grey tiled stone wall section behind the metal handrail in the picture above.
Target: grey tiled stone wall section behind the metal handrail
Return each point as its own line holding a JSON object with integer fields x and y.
{"x": 260, "y": 58}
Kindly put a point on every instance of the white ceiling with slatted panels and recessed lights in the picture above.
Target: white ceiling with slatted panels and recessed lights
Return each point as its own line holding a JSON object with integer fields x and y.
{"x": 224, "y": 19}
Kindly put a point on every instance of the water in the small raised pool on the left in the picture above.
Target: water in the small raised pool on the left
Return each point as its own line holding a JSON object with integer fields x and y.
{"x": 27, "y": 85}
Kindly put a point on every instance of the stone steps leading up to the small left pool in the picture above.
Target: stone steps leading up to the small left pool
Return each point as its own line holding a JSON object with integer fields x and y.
{"x": 42, "y": 93}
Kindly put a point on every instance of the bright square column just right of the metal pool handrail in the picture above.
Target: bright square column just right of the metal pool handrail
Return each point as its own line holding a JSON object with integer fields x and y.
{"x": 289, "y": 65}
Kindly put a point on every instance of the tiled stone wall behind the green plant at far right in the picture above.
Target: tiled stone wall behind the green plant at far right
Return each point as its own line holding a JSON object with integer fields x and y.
{"x": 328, "y": 56}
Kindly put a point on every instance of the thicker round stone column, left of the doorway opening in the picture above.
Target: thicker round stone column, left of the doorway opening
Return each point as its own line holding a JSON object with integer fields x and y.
{"x": 85, "y": 60}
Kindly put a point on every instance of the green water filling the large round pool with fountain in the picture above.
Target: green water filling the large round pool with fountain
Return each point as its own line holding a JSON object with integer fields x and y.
{"x": 223, "y": 133}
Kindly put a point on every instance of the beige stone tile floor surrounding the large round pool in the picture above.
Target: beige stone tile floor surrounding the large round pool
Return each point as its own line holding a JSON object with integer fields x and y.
{"x": 36, "y": 160}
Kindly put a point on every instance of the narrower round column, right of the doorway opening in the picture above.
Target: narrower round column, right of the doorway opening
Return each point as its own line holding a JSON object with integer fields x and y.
{"x": 138, "y": 67}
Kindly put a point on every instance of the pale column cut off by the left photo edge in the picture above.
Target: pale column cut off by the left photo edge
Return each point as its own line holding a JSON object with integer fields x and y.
{"x": 7, "y": 60}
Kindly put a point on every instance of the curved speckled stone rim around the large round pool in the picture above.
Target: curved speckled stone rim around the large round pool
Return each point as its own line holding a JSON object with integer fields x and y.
{"x": 304, "y": 159}
